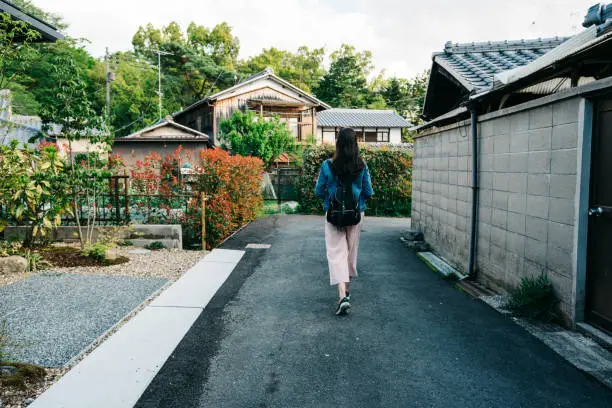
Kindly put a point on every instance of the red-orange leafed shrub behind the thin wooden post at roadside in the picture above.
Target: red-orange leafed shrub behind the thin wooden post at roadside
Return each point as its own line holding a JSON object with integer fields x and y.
{"x": 231, "y": 183}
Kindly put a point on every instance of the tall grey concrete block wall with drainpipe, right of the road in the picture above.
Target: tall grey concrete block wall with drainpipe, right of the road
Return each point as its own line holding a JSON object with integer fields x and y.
{"x": 527, "y": 169}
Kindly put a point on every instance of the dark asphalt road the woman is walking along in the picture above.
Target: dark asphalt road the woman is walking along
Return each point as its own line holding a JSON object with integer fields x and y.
{"x": 269, "y": 337}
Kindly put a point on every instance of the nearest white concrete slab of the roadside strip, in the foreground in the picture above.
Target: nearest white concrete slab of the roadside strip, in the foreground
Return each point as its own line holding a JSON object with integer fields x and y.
{"x": 120, "y": 369}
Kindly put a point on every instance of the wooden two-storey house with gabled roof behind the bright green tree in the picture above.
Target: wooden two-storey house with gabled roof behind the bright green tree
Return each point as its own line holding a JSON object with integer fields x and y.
{"x": 264, "y": 93}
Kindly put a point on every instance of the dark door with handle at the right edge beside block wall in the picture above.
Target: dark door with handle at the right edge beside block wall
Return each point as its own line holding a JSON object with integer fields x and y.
{"x": 599, "y": 269}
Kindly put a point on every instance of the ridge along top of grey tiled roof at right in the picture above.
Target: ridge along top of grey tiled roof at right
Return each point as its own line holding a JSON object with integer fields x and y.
{"x": 507, "y": 45}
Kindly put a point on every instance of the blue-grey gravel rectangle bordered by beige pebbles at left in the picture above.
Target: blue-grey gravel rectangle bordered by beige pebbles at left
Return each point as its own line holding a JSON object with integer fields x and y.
{"x": 52, "y": 317}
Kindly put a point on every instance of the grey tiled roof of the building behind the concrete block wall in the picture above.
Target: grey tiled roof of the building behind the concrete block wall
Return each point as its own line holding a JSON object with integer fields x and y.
{"x": 474, "y": 64}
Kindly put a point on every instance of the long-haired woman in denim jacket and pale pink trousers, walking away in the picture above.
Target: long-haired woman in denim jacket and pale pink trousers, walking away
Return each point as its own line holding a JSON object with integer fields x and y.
{"x": 344, "y": 184}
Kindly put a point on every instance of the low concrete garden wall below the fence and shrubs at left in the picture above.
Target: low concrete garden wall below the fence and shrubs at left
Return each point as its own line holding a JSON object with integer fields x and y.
{"x": 139, "y": 234}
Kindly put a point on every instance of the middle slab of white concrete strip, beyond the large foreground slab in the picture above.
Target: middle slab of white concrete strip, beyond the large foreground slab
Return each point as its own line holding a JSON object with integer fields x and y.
{"x": 196, "y": 287}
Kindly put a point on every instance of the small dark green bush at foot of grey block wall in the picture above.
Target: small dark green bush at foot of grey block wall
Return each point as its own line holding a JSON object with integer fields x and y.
{"x": 534, "y": 299}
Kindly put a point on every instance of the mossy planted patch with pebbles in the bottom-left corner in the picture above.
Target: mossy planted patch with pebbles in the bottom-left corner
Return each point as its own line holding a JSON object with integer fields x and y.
{"x": 20, "y": 388}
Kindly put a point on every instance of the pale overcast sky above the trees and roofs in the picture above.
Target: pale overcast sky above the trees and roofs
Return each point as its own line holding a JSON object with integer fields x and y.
{"x": 401, "y": 34}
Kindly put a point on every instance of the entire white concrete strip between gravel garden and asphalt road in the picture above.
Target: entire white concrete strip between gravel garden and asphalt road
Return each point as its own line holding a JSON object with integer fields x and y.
{"x": 117, "y": 372}
